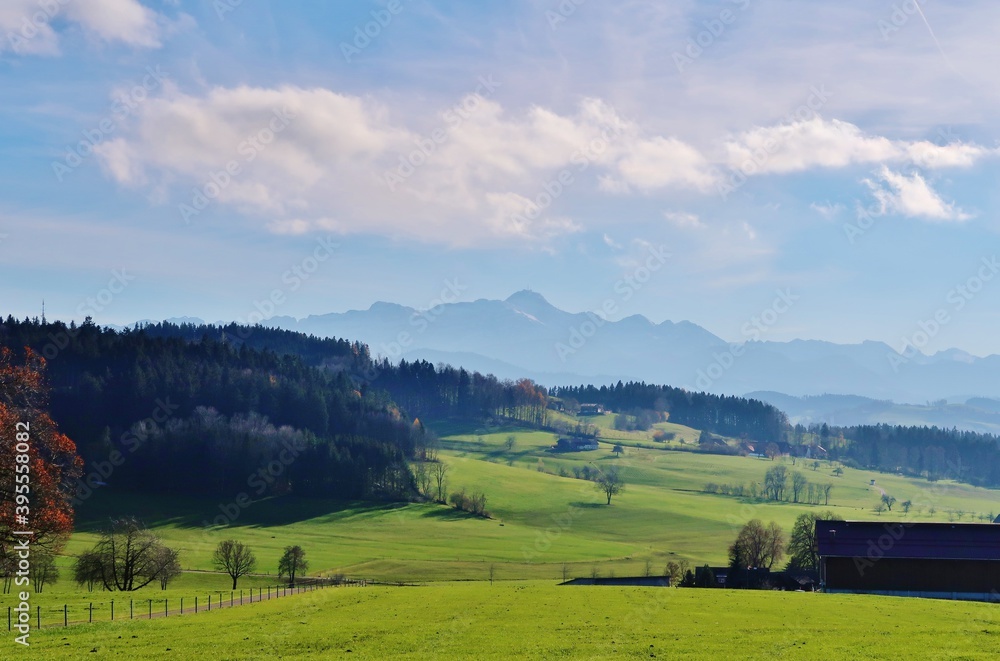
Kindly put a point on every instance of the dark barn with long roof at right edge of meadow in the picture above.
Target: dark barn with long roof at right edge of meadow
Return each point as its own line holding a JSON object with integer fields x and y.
{"x": 938, "y": 560}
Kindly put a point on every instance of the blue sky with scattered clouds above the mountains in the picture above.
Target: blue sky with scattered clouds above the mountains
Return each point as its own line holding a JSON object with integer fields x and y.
{"x": 843, "y": 152}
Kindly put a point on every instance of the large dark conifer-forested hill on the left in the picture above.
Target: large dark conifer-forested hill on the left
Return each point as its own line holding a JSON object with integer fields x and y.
{"x": 171, "y": 411}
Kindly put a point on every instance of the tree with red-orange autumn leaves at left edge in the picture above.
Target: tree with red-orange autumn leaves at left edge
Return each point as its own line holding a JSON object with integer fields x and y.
{"x": 52, "y": 458}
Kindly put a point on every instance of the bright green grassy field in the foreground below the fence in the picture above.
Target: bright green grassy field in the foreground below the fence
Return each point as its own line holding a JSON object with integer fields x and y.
{"x": 542, "y": 620}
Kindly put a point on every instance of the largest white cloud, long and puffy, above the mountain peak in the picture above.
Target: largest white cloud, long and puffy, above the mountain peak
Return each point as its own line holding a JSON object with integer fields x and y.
{"x": 487, "y": 176}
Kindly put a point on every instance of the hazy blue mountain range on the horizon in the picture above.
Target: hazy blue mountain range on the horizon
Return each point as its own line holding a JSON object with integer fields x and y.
{"x": 525, "y": 335}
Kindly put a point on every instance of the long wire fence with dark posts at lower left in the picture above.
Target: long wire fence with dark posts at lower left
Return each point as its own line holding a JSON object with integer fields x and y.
{"x": 135, "y": 609}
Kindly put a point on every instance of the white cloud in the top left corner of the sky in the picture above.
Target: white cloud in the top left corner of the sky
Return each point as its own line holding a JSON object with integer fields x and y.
{"x": 26, "y": 25}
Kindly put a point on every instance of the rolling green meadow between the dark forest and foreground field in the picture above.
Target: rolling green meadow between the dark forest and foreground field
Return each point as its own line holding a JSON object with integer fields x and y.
{"x": 545, "y": 523}
